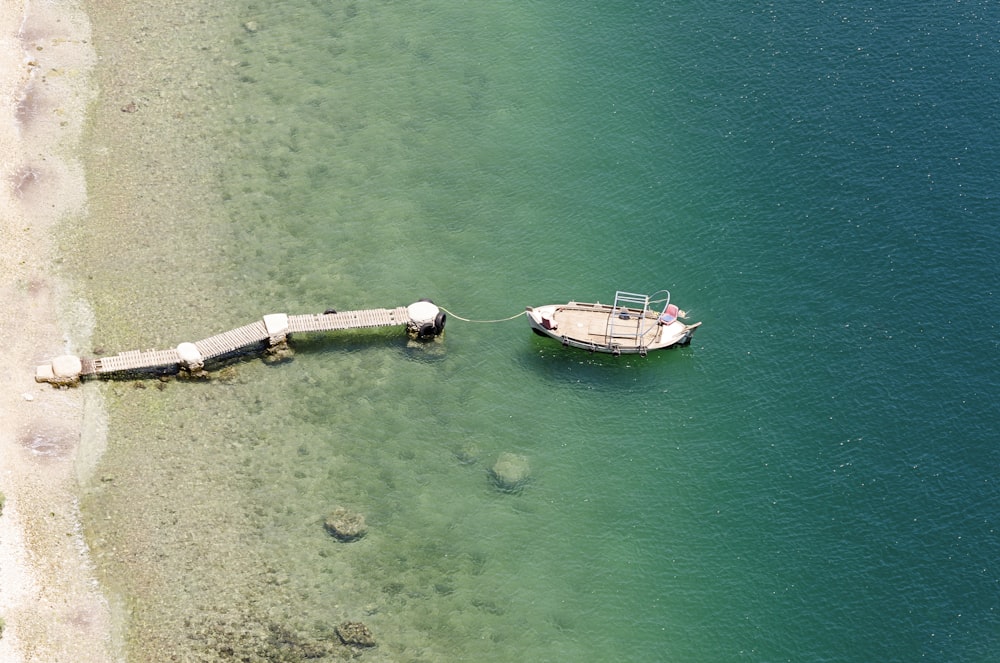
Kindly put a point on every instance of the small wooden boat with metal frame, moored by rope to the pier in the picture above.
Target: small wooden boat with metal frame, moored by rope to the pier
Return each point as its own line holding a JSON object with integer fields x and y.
{"x": 633, "y": 324}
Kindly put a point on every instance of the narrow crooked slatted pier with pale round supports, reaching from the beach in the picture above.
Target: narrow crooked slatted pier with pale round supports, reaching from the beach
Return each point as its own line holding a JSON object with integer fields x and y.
{"x": 421, "y": 319}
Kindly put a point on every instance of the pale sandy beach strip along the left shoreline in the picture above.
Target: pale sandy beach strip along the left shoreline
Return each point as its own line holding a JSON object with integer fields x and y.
{"x": 50, "y": 603}
